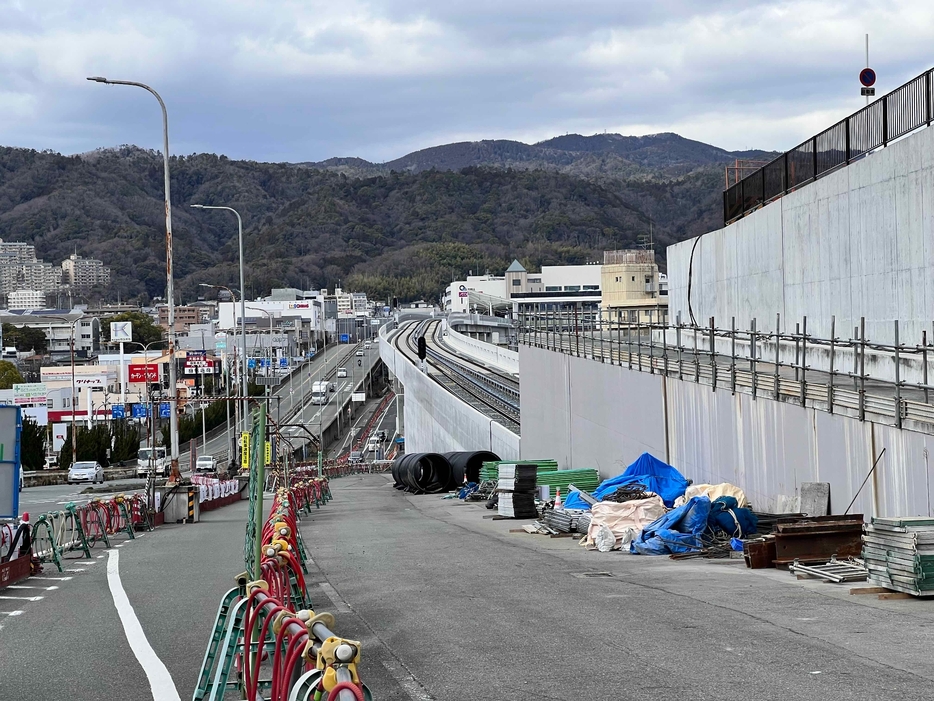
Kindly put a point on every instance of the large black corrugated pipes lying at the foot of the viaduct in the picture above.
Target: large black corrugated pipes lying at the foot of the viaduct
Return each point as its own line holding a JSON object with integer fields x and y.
{"x": 430, "y": 473}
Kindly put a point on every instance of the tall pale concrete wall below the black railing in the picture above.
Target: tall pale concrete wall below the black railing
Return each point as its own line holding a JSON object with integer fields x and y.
{"x": 858, "y": 242}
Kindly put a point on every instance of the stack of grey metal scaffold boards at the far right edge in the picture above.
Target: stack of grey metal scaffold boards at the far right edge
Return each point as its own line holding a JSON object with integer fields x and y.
{"x": 899, "y": 554}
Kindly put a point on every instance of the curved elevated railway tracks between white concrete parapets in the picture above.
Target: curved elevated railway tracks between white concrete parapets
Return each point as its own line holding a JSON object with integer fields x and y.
{"x": 493, "y": 394}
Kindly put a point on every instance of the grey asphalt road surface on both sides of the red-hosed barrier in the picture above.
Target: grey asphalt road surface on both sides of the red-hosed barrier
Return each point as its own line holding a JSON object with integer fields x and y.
{"x": 452, "y": 606}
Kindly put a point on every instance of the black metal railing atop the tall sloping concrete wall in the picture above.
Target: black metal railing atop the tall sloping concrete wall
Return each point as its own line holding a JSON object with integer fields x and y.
{"x": 903, "y": 110}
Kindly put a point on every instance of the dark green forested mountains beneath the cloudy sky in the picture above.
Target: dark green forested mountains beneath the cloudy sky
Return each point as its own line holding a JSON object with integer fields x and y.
{"x": 401, "y": 231}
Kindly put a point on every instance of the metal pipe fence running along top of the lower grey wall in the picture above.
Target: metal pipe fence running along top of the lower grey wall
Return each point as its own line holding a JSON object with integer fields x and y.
{"x": 851, "y": 375}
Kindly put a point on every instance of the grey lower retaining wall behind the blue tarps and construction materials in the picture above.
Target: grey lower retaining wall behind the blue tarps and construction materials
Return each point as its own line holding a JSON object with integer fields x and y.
{"x": 586, "y": 413}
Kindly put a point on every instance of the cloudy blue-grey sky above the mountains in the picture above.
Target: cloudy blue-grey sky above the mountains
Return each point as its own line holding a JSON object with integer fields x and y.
{"x": 299, "y": 80}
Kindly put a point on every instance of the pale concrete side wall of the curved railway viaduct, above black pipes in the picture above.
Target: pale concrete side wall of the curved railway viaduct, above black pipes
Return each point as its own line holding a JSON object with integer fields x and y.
{"x": 438, "y": 422}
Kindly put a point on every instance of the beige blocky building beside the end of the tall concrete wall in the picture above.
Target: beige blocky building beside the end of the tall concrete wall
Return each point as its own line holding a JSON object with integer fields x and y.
{"x": 632, "y": 288}
